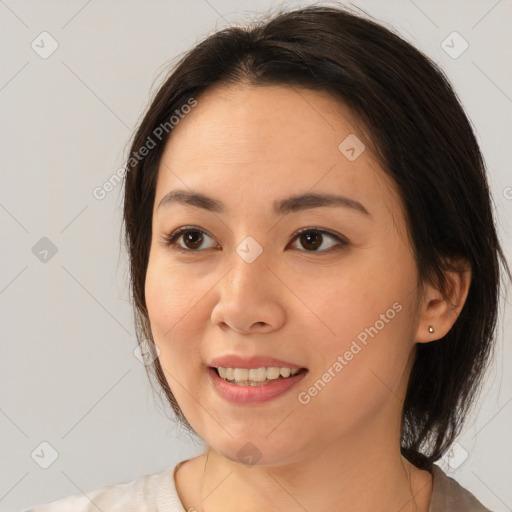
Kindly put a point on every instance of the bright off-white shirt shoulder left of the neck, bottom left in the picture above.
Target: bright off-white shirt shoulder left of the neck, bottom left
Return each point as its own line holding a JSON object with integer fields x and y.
{"x": 148, "y": 492}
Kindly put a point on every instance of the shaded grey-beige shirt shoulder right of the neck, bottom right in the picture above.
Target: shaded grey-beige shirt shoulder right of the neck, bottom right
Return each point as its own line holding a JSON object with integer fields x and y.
{"x": 449, "y": 496}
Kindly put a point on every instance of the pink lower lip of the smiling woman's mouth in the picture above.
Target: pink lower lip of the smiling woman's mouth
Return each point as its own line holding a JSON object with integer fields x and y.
{"x": 253, "y": 394}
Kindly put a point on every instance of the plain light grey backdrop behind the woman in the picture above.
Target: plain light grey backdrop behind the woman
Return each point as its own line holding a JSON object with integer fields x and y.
{"x": 69, "y": 374}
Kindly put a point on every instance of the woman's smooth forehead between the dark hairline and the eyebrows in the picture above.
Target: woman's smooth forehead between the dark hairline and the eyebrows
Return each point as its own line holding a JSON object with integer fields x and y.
{"x": 252, "y": 143}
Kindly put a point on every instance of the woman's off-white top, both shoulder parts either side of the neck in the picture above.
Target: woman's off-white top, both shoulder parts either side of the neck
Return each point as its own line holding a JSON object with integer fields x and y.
{"x": 157, "y": 493}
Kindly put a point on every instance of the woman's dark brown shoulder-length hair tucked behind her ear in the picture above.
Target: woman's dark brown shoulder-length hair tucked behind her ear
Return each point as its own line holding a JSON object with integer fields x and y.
{"x": 424, "y": 142}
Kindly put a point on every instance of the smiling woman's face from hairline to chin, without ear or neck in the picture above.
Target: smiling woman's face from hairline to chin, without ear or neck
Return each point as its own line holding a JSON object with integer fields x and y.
{"x": 340, "y": 301}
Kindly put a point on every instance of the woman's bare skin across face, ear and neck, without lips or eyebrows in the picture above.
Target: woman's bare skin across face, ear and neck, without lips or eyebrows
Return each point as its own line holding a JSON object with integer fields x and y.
{"x": 248, "y": 146}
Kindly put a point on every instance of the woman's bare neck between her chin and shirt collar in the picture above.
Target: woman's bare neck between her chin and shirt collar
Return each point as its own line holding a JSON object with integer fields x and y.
{"x": 341, "y": 479}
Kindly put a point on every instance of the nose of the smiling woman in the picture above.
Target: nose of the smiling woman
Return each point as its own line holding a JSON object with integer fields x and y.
{"x": 249, "y": 298}
